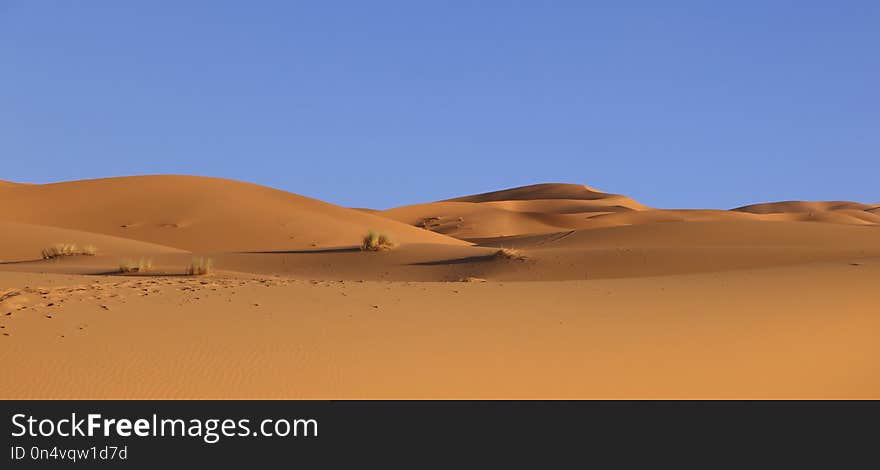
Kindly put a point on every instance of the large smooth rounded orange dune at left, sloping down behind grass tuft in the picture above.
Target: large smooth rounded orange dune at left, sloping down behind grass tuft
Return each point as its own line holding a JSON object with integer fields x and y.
{"x": 199, "y": 214}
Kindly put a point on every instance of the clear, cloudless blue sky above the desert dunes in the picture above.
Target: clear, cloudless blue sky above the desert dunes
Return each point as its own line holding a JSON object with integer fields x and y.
{"x": 377, "y": 103}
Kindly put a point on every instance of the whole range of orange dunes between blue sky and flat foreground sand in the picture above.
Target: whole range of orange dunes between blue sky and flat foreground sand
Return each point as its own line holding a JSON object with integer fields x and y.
{"x": 569, "y": 232}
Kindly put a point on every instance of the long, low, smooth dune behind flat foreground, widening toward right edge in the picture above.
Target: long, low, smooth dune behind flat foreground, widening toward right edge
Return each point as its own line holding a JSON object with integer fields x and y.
{"x": 619, "y": 251}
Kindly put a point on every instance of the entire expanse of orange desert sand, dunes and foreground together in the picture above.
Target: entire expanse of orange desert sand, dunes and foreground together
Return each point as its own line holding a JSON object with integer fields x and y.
{"x": 606, "y": 298}
